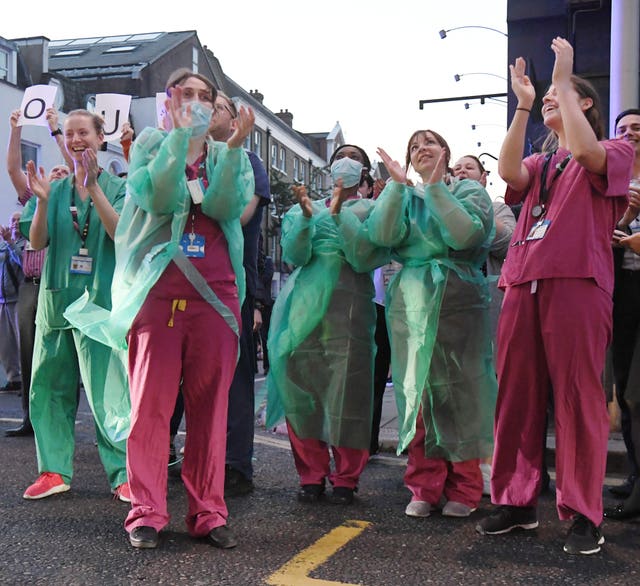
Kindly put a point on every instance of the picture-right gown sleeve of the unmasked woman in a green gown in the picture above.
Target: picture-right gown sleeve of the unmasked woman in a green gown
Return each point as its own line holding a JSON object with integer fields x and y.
{"x": 460, "y": 215}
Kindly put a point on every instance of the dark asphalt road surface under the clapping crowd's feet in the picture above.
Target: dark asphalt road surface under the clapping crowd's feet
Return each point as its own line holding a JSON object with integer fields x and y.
{"x": 77, "y": 537}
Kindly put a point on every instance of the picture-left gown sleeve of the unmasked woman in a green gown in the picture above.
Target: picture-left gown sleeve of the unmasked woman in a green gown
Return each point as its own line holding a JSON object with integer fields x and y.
{"x": 386, "y": 224}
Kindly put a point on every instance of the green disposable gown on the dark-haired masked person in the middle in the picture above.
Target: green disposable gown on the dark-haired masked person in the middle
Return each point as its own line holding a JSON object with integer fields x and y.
{"x": 321, "y": 339}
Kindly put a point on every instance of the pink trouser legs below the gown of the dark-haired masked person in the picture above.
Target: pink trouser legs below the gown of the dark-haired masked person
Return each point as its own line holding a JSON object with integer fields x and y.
{"x": 312, "y": 462}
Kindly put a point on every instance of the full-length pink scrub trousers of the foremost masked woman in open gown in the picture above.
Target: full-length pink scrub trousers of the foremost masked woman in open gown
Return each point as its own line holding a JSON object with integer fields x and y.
{"x": 200, "y": 350}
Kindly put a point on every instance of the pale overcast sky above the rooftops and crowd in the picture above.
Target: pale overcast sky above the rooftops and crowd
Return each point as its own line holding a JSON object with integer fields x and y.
{"x": 364, "y": 63}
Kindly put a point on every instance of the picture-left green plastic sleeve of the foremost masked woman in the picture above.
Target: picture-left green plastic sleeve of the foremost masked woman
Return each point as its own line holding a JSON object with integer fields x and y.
{"x": 155, "y": 170}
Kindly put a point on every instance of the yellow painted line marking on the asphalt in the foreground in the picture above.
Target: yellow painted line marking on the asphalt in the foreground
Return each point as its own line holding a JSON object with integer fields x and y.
{"x": 296, "y": 571}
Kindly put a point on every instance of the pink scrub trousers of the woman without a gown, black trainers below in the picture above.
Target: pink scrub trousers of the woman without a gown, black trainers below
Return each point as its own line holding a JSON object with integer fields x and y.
{"x": 554, "y": 338}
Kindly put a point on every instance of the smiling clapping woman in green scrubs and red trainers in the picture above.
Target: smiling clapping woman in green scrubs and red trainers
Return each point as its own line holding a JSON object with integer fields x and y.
{"x": 76, "y": 218}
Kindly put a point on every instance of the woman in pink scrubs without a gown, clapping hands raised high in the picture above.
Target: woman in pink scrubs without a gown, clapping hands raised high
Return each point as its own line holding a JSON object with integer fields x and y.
{"x": 555, "y": 323}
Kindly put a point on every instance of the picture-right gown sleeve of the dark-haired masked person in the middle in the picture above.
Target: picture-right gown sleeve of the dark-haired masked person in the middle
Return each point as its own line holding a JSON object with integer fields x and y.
{"x": 361, "y": 253}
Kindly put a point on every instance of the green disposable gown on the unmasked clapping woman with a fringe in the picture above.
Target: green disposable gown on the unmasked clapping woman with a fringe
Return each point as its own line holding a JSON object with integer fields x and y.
{"x": 437, "y": 314}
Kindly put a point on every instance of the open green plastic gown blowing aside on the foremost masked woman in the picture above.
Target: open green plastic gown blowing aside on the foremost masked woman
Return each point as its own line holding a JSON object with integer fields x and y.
{"x": 153, "y": 221}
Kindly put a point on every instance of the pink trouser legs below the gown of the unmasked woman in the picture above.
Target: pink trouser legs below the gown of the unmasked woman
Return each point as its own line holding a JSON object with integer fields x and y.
{"x": 429, "y": 479}
